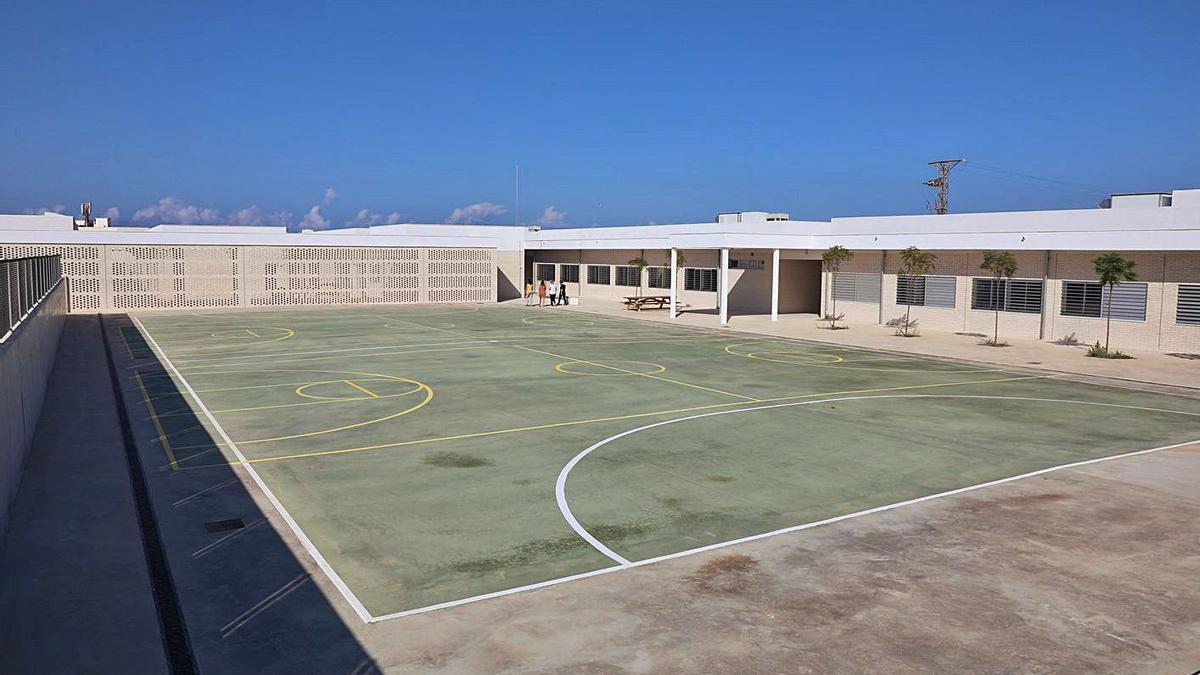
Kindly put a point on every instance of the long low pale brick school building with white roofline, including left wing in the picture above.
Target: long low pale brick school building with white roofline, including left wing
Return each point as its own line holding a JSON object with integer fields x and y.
{"x": 743, "y": 264}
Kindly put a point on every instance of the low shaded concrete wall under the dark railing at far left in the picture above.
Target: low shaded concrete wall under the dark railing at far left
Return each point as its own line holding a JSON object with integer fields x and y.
{"x": 27, "y": 357}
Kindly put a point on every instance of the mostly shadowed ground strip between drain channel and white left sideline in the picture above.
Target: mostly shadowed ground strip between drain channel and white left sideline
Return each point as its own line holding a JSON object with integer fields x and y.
{"x": 249, "y": 604}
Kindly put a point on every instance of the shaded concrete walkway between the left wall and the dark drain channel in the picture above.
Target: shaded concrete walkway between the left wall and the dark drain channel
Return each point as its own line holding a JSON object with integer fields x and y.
{"x": 75, "y": 594}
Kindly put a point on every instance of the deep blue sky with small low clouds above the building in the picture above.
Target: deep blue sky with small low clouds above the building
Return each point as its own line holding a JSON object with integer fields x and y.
{"x": 619, "y": 112}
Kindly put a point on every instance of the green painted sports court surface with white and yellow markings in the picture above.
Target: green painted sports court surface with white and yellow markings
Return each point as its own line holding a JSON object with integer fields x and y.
{"x": 419, "y": 447}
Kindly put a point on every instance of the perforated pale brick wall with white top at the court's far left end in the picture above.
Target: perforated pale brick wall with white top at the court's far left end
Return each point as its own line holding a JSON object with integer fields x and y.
{"x": 177, "y": 277}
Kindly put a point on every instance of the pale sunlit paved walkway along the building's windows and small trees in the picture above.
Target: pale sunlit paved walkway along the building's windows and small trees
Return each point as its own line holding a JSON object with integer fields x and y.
{"x": 1155, "y": 368}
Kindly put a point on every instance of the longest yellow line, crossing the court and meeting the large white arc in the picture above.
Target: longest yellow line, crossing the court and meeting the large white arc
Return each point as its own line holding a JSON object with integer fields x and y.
{"x": 615, "y": 419}
